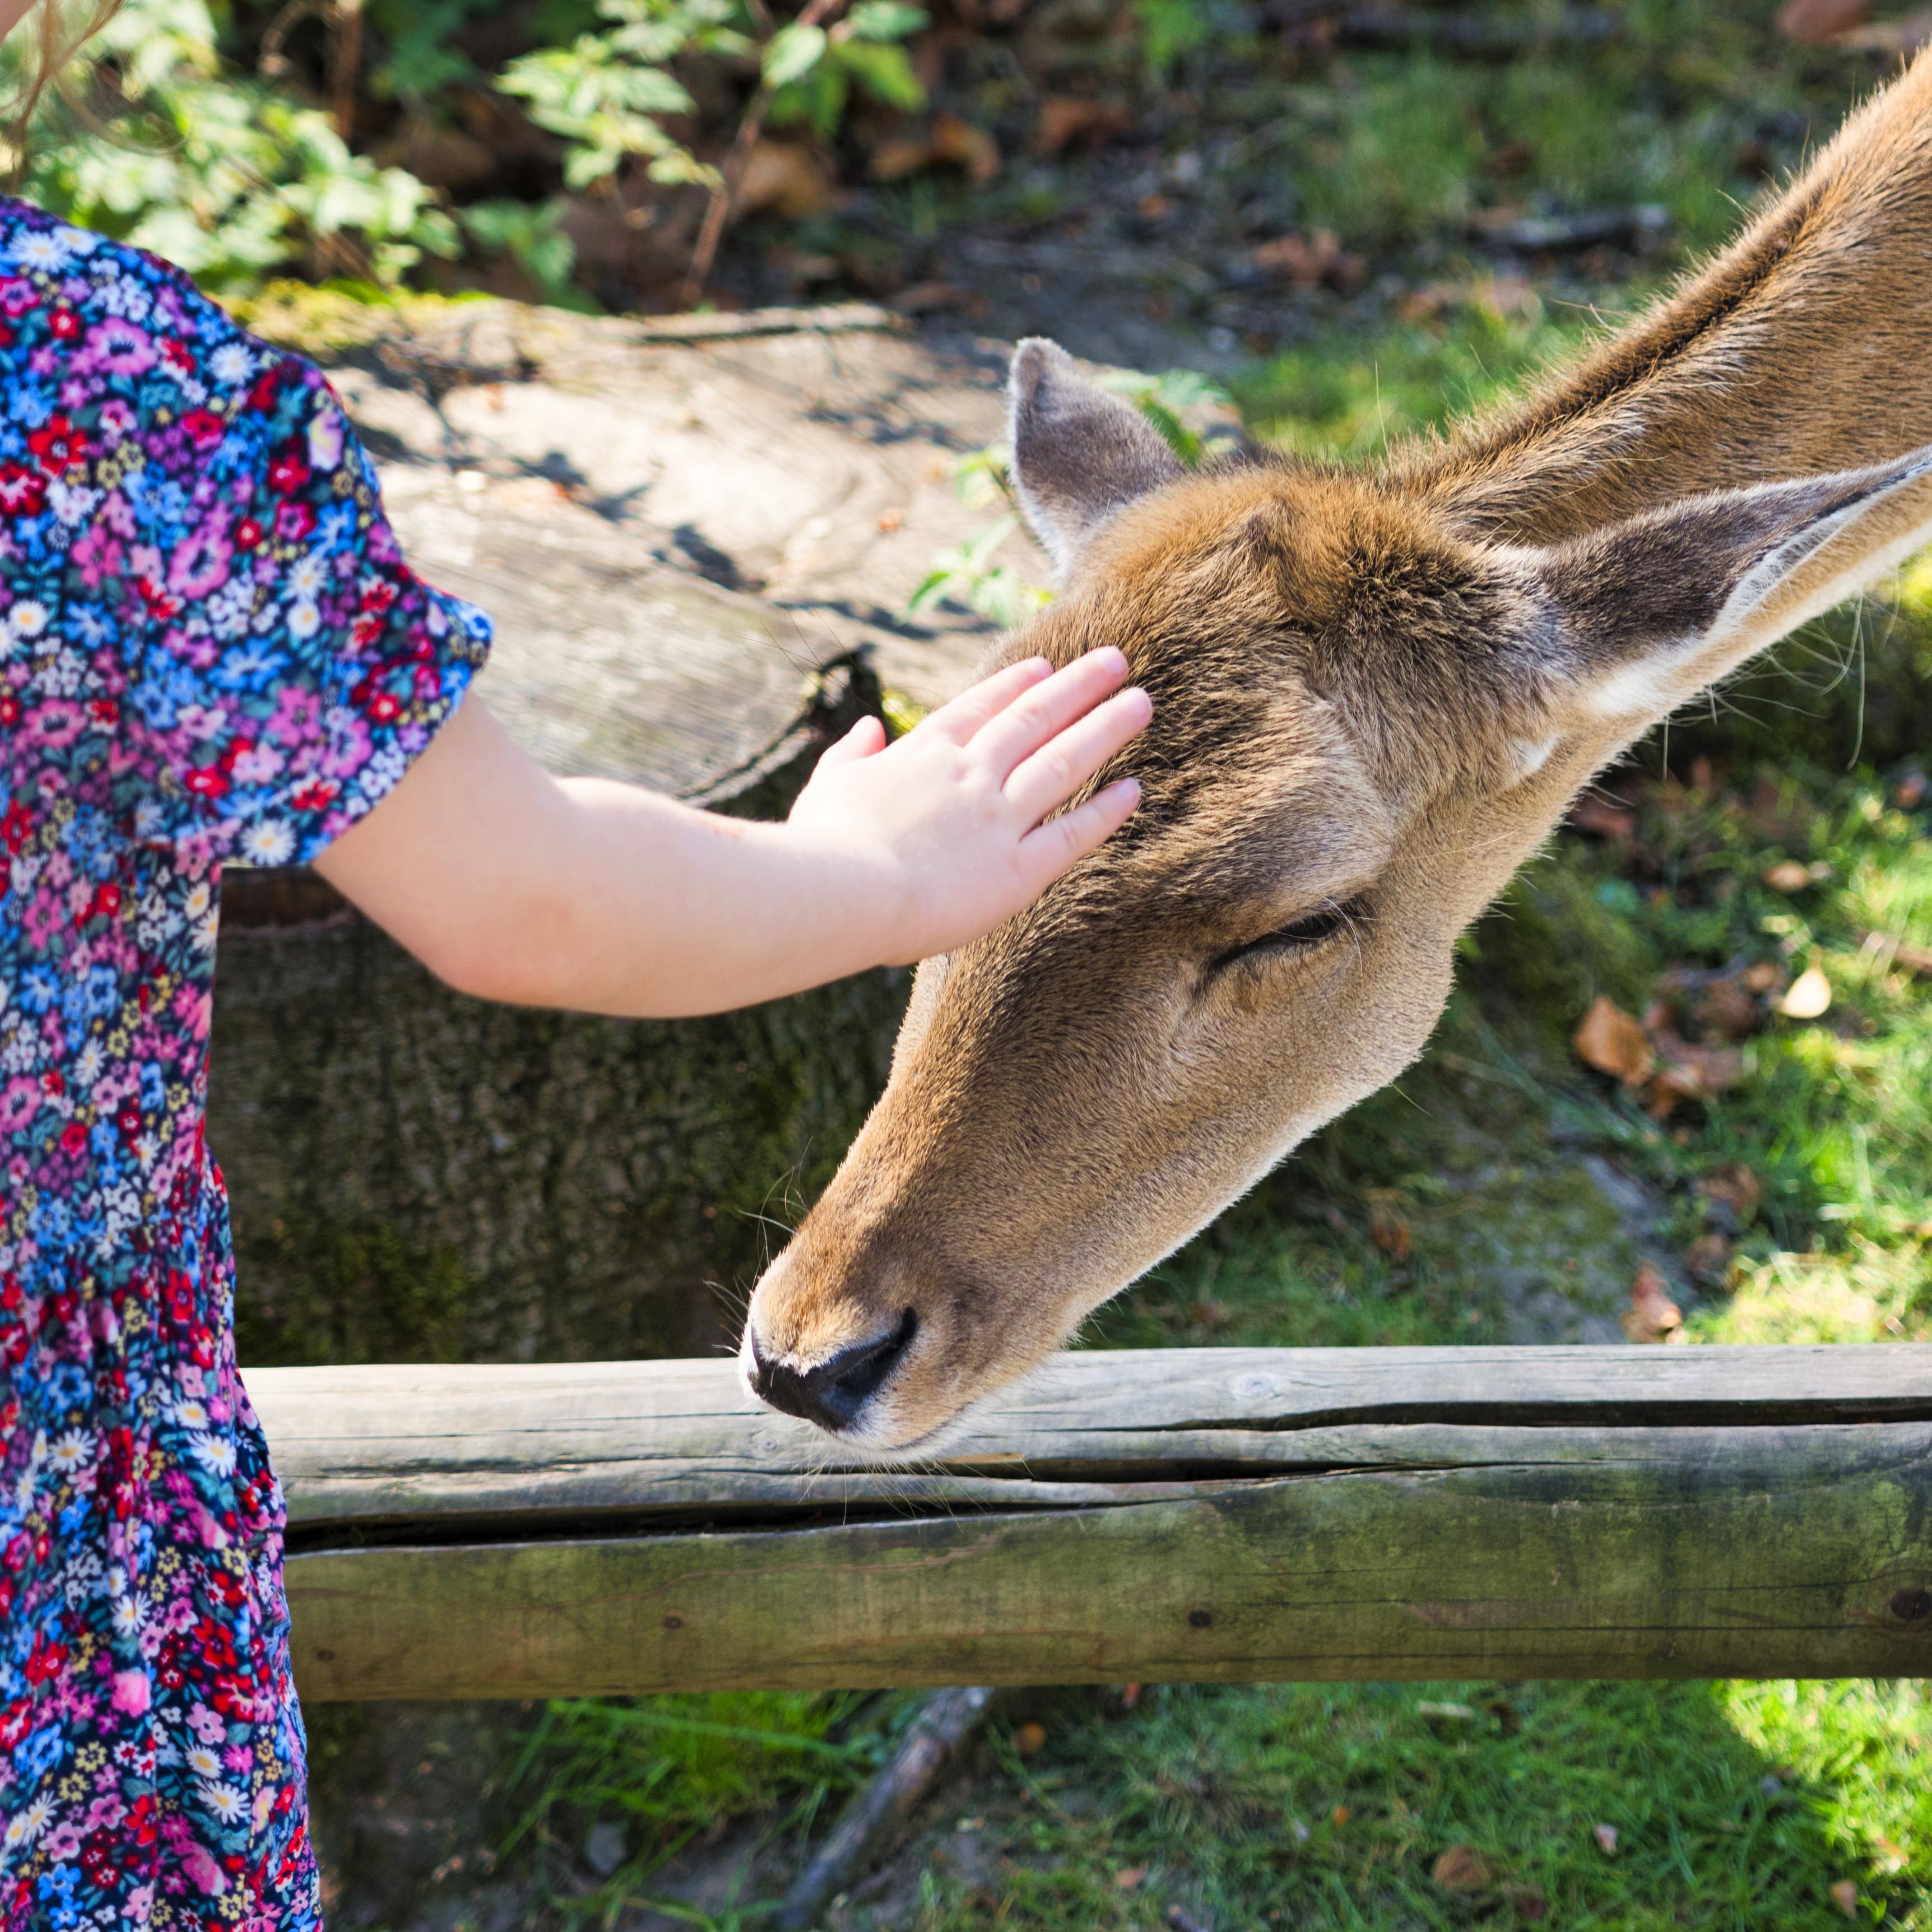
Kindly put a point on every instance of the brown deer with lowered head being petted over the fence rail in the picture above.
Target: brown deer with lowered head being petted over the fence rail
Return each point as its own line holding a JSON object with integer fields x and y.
{"x": 1377, "y": 693}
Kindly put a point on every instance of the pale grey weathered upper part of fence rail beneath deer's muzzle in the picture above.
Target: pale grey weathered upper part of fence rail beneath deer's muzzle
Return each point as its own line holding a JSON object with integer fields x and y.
{"x": 397, "y": 1446}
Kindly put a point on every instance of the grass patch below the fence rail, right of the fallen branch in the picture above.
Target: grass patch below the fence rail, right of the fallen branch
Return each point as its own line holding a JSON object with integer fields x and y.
{"x": 1328, "y": 1807}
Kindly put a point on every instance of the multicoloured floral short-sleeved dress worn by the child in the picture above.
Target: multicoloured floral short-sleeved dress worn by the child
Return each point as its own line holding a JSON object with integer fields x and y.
{"x": 210, "y": 650}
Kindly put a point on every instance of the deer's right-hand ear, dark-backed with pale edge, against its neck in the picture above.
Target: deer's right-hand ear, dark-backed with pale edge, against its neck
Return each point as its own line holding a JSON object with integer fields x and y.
{"x": 1655, "y": 610}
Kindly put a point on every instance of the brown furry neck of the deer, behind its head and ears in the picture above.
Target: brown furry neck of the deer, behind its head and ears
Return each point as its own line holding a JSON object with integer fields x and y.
{"x": 1798, "y": 351}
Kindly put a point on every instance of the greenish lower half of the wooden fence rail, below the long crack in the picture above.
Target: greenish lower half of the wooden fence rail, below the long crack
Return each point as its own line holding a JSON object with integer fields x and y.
{"x": 1765, "y": 1552}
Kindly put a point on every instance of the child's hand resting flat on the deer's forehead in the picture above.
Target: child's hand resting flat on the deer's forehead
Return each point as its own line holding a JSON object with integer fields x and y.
{"x": 953, "y": 822}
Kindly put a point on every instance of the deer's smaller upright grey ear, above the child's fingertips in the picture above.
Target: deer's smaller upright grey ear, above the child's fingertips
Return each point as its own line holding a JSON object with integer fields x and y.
{"x": 1079, "y": 455}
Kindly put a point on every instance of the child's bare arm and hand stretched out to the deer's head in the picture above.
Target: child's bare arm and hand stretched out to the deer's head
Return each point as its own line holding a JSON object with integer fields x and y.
{"x": 604, "y": 897}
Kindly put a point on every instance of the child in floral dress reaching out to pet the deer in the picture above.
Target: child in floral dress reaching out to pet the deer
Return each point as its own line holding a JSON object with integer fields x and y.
{"x": 212, "y": 650}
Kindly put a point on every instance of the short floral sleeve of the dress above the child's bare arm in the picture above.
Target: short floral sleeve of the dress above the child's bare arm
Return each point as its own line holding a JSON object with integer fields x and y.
{"x": 289, "y": 666}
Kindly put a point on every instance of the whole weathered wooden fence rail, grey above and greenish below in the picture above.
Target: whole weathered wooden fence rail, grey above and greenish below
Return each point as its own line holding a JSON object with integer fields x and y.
{"x": 1208, "y": 1514}
